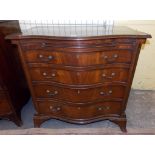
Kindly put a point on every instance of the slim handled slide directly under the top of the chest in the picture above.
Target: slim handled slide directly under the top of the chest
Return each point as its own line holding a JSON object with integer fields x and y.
{"x": 43, "y": 44}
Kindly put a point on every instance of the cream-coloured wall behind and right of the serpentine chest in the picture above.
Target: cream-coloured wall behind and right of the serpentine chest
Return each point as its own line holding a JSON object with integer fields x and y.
{"x": 145, "y": 73}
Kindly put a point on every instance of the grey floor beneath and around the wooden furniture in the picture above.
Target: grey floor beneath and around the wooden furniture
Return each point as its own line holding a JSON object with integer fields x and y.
{"x": 140, "y": 114}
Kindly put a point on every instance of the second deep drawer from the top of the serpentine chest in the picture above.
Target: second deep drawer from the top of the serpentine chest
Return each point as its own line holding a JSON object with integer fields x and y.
{"x": 85, "y": 77}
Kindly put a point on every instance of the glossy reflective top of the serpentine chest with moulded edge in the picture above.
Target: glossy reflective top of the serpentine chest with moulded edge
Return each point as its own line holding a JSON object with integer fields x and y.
{"x": 78, "y": 32}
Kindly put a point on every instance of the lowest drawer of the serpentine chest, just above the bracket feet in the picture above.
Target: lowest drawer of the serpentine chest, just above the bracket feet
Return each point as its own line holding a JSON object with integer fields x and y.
{"x": 79, "y": 111}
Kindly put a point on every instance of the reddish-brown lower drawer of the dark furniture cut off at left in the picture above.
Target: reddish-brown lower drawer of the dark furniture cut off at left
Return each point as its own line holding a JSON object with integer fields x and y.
{"x": 4, "y": 104}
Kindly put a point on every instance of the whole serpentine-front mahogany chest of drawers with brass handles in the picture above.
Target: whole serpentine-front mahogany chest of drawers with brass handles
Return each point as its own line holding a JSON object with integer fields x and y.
{"x": 80, "y": 78}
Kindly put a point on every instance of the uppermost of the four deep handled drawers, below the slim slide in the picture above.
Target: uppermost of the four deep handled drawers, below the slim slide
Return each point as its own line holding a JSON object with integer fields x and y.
{"x": 79, "y": 59}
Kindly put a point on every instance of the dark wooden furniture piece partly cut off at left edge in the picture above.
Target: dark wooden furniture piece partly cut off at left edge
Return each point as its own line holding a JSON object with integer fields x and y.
{"x": 14, "y": 92}
